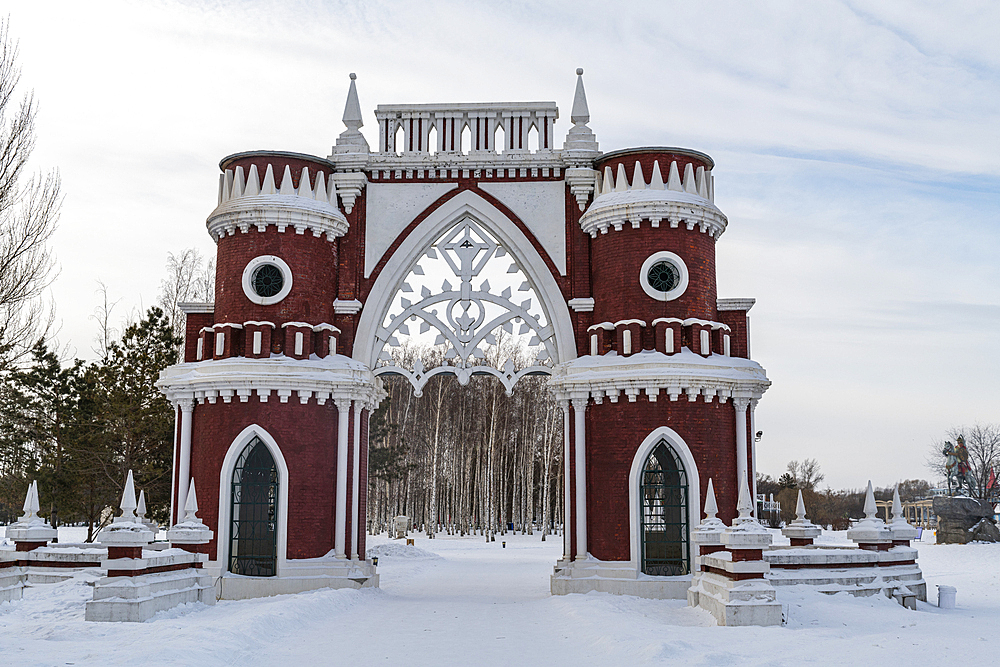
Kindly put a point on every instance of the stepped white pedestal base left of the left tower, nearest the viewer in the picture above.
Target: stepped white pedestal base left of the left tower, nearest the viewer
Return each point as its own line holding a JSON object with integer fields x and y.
{"x": 137, "y": 599}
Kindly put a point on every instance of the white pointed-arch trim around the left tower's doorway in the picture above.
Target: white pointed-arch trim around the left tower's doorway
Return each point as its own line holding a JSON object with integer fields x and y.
{"x": 225, "y": 490}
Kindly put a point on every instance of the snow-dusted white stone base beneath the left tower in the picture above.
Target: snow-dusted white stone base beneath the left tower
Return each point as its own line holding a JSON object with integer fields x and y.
{"x": 296, "y": 576}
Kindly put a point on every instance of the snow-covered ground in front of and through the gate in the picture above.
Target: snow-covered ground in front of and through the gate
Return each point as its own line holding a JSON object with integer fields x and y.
{"x": 463, "y": 601}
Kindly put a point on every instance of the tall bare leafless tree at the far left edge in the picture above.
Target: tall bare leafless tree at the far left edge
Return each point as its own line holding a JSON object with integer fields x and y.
{"x": 29, "y": 211}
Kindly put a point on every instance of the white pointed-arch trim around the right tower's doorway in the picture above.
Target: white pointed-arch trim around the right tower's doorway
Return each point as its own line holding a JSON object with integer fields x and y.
{"x": 694, "y": 490}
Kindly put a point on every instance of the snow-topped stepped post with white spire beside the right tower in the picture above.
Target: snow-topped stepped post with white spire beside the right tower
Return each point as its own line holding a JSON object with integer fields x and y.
{"x": 733, "y": 586}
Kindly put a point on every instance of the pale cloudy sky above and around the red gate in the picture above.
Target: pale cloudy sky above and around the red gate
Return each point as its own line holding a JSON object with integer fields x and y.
{"x": 856, "y": 147}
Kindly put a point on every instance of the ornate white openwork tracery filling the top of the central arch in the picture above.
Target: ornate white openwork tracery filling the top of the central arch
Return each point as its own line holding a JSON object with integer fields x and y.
{"x": 473, "y": 296}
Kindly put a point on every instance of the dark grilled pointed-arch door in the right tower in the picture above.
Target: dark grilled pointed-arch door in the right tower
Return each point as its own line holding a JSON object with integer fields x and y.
{"x": 665, "y": 532}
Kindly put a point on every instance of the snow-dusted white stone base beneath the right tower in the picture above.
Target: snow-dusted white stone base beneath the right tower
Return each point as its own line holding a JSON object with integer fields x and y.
{"x": 615, "y": 577}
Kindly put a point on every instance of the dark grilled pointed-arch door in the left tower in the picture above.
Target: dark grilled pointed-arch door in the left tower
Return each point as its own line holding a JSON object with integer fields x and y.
{"x": 254, "y": 512}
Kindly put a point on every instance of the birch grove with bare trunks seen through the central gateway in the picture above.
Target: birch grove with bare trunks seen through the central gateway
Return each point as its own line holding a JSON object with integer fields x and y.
{"x": 467, "y": 459}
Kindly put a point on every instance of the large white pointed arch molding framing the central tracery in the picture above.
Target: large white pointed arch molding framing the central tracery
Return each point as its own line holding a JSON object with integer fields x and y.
{"x": 466, "y": 203}
